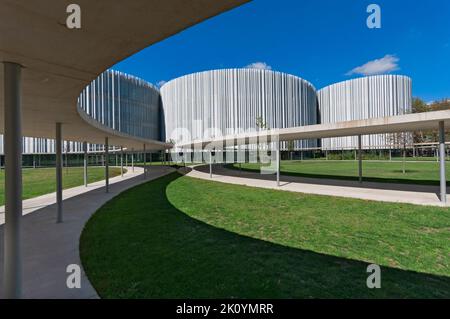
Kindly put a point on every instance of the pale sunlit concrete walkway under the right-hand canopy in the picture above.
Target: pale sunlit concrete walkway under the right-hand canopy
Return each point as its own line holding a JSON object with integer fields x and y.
{"x": 386, "y": 192}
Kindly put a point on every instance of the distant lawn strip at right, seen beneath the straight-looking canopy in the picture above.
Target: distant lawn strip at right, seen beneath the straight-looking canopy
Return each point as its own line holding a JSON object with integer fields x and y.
{"x": 426, "y": 173}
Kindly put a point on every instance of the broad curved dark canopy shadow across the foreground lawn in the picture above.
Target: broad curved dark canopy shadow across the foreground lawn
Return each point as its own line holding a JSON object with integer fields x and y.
{"x": 140, "y": 246}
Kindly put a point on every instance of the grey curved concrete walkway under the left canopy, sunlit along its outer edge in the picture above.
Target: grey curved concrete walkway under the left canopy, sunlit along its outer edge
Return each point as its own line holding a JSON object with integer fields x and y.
{"x": 48, "y": 248}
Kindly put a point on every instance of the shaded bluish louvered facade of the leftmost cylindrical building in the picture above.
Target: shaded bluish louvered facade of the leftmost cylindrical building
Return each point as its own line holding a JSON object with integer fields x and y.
{"x": 117, "y": 100}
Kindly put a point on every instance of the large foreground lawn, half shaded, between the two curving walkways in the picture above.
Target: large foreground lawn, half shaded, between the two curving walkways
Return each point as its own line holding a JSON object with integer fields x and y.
{"x": 179, "y": 237}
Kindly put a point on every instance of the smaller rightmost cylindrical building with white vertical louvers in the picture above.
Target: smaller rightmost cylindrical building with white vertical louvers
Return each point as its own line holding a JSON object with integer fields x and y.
{"x": 364, "y": 98}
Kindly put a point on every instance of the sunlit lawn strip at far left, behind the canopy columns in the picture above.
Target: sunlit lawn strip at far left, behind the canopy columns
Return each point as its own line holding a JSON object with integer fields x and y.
{"x": 41, "y": 181}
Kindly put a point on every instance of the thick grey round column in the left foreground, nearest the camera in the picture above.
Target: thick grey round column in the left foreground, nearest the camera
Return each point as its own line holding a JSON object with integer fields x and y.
{"x": 13, "y": 181}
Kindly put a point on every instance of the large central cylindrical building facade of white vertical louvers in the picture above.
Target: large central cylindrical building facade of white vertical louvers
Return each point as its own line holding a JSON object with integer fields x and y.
{"x": 231, "y": 100}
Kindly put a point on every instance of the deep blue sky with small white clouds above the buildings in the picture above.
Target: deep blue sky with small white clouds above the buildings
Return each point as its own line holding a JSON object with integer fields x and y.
{"x": 319, "y": 40}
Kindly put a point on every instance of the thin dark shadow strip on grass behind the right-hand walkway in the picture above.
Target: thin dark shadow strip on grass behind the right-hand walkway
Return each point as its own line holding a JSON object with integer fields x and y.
{"x": 389, "y": 180}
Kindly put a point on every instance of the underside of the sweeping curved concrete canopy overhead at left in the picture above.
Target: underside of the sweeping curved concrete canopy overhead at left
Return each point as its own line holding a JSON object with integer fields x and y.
{"x": 59, "y": 62}
